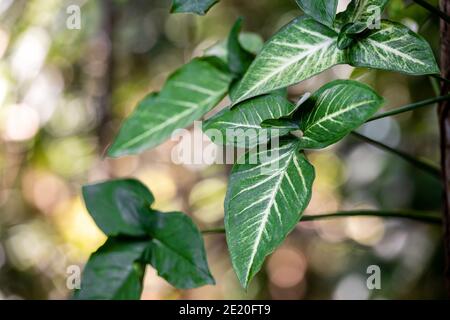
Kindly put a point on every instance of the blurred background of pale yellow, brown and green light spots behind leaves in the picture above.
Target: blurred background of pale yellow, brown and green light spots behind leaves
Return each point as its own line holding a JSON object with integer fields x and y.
{"x": 64, "y": 93}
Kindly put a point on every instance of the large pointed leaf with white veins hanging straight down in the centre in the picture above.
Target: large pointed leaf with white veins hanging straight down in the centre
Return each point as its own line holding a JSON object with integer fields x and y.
{"x": 264, "y": 202}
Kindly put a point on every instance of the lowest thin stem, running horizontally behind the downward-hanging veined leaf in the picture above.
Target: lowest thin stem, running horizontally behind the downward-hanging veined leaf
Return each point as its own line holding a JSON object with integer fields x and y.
{"x": 427, "y": 217}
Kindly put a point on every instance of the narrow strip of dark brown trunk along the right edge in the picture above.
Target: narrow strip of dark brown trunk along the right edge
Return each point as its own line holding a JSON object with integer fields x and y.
{"x": 444, "y": 123}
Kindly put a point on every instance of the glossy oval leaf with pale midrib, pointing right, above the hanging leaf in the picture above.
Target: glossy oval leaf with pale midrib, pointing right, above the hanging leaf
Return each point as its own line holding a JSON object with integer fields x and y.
{"x": 335, "y": 110}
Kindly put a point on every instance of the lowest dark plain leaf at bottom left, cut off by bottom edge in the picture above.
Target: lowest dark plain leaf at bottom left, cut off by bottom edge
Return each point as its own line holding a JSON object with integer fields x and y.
{"x": 112, "y": 272}
